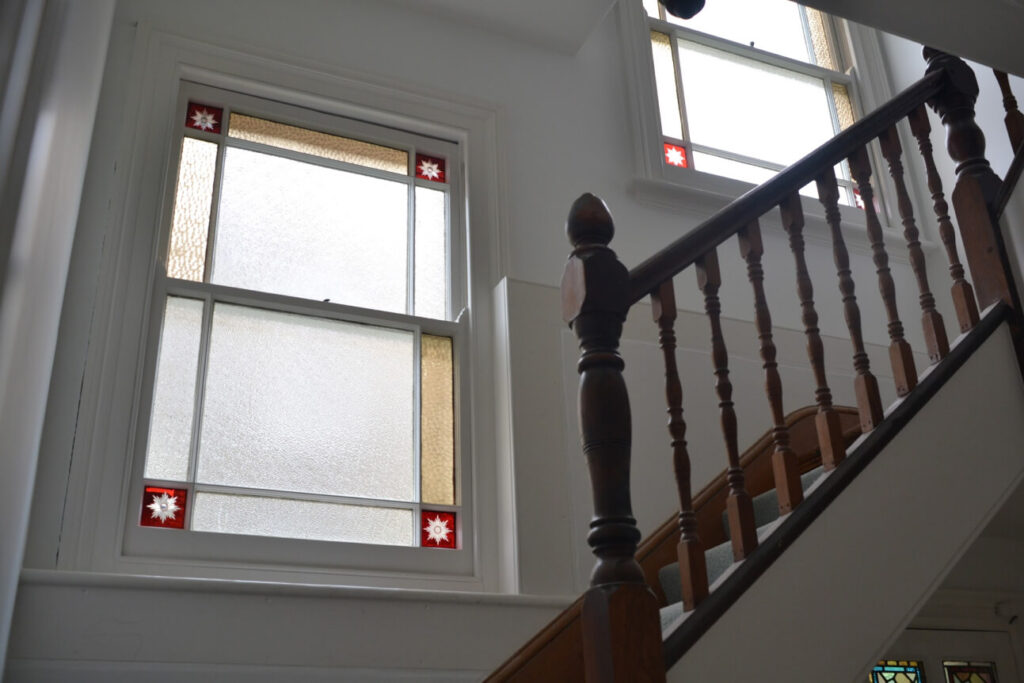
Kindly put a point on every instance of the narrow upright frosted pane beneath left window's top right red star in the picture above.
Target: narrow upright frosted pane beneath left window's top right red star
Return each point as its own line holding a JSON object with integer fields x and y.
{"x": 432, "y": 253}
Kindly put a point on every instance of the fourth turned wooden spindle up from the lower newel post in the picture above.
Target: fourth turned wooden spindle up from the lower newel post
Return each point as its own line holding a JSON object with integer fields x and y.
{"x": 828, "y": 420}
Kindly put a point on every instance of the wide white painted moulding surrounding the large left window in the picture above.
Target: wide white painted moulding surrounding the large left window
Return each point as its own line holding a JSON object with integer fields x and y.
{"x": 99, "y": 487}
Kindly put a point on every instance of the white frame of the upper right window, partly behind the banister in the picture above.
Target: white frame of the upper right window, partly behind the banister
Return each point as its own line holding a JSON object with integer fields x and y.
{"x": 658, "y": 184}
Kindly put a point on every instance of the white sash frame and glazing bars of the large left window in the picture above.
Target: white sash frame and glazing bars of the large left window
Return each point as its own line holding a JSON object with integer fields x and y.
{"x": 186, "y": 543}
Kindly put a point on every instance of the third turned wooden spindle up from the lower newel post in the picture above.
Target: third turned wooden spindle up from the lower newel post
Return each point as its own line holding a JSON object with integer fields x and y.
{"x": 784, "y": 460}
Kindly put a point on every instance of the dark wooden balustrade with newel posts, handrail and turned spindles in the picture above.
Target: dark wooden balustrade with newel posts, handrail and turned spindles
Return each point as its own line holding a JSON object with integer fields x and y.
{"x": 622, "y": 638}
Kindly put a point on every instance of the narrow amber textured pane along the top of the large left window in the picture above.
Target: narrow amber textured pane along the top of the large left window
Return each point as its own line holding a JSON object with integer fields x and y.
{"x": 320, "y": 145}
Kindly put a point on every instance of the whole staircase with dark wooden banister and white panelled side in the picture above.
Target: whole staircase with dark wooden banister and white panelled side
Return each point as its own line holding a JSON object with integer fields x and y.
{"x": 706, "y": 603}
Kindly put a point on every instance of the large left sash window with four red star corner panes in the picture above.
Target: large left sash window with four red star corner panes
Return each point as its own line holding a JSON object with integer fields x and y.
{"x": 305, "y": 343}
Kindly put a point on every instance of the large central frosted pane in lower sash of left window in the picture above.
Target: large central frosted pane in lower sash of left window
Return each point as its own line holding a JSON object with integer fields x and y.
{"x": 308, "y": 405}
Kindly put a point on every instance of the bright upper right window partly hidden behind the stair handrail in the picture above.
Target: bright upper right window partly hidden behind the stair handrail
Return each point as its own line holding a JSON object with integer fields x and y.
{"x": 748, "y": 88}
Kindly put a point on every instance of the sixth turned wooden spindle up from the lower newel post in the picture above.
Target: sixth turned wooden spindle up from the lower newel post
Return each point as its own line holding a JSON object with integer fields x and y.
{"x": 901, "y": 355}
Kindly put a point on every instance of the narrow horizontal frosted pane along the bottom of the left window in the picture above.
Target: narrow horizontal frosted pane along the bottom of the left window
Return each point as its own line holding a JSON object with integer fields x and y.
{"x": 289, "y": 519}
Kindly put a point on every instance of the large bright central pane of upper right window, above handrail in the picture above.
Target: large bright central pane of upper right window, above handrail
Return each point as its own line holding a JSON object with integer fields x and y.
{"x": 750, "y": 108}
